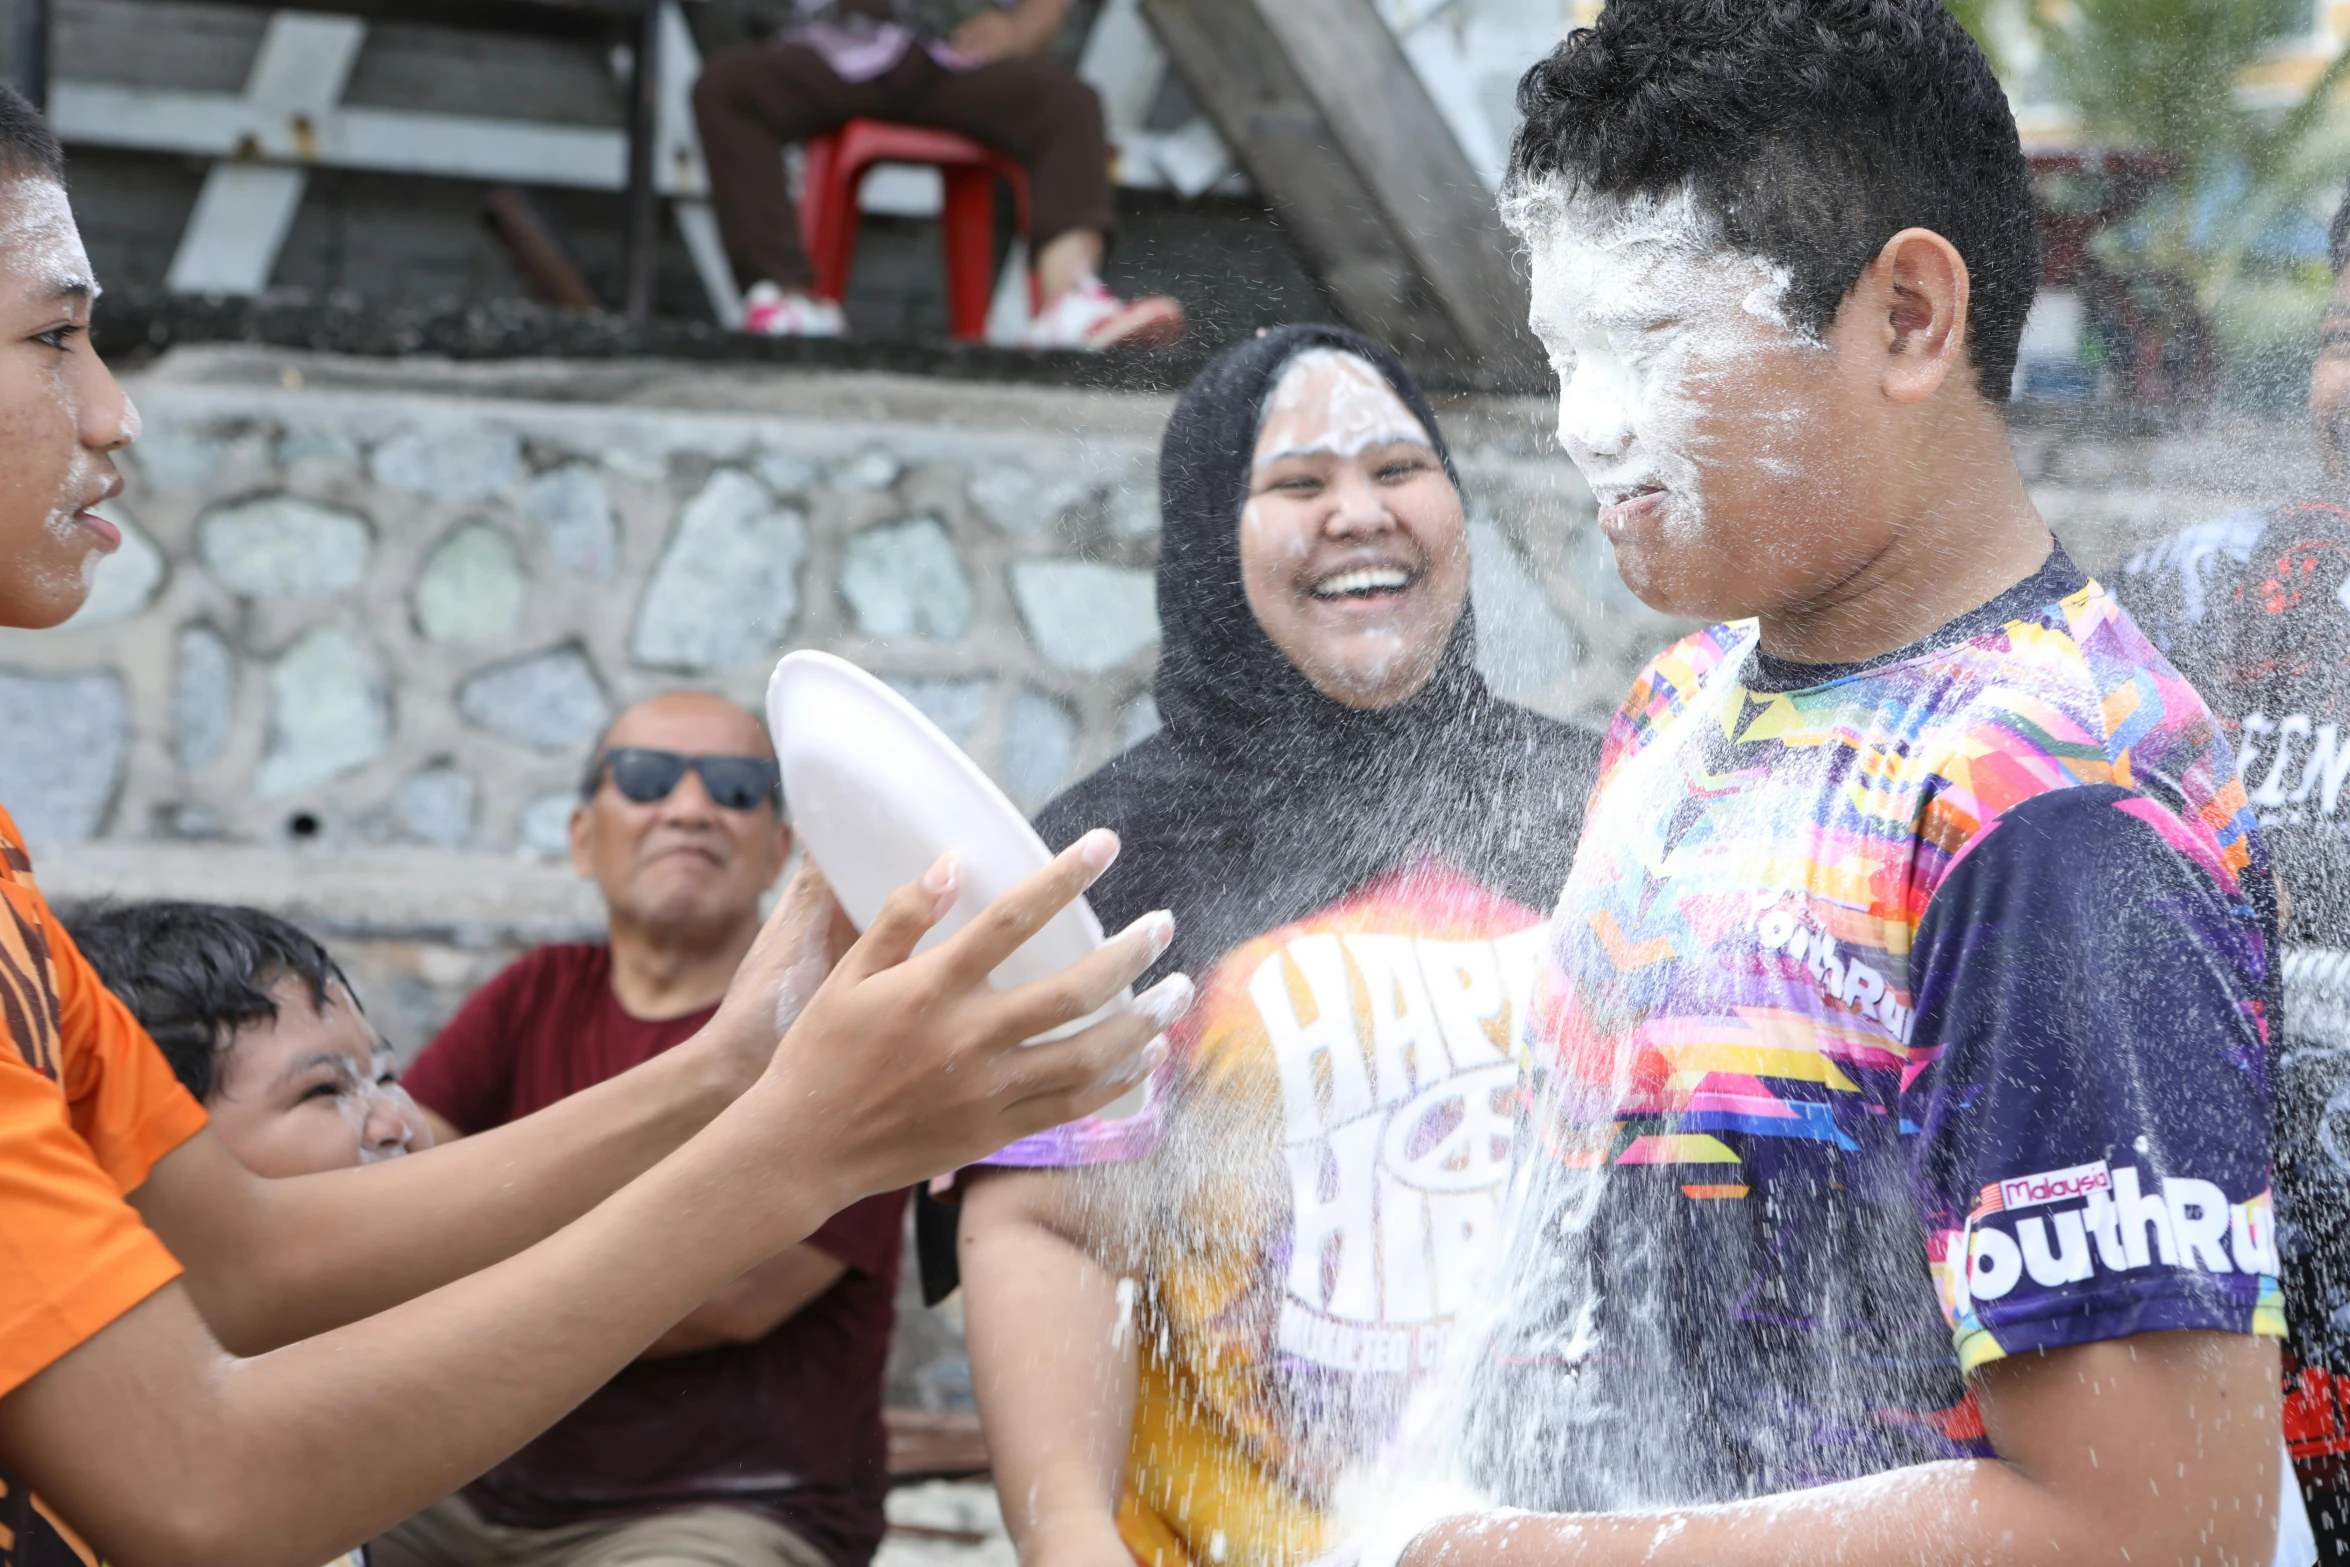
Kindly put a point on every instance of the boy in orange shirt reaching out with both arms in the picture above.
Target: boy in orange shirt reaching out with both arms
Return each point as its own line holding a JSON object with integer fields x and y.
{"x": 208, "y": 1366}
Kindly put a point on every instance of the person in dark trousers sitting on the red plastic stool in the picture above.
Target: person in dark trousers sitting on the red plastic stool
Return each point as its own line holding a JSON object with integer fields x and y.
{"x": 897, "y": 60}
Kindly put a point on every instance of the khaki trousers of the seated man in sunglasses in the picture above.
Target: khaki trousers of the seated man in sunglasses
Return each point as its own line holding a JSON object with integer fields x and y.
{"x": 452, "y": 1535}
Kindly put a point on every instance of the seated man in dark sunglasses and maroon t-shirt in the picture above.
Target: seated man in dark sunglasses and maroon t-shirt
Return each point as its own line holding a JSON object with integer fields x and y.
{"x": 753, "y": 1430}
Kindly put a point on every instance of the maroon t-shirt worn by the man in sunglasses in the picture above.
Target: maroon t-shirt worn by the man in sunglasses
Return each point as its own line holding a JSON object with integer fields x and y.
{"x": 791, "y": 1425}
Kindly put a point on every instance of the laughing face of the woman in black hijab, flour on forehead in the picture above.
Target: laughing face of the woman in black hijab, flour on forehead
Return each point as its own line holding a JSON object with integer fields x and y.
{"x": 1355, "y": 549}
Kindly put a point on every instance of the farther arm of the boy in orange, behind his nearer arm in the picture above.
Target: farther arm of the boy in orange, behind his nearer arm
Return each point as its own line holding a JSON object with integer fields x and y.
{"x": 278, "y": 1260}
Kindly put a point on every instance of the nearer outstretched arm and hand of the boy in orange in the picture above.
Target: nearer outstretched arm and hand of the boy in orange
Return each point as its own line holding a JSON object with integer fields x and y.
{"x": 163, "y": 1448}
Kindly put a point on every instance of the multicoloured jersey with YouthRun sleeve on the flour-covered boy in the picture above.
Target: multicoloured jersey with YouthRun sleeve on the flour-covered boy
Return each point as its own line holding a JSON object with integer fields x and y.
{"x": 1900, "y": 1016}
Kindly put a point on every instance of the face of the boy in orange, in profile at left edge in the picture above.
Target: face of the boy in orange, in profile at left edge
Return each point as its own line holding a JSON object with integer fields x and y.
{"x": 62, "y": 415}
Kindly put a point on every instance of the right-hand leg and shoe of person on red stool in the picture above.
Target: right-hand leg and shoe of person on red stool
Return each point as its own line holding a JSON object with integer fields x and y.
{"x": 1054, "y": 126}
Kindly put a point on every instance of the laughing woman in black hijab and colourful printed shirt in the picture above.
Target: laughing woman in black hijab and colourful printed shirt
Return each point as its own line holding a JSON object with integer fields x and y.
{"x": 1357, "y": 840}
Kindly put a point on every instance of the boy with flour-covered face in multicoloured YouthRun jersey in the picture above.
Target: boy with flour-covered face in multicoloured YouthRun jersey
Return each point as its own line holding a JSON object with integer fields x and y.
{"x": 1898, "y": 1077}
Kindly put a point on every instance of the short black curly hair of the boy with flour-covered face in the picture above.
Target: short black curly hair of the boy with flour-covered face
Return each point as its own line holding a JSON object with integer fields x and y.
{"x": 1808, "y": 130}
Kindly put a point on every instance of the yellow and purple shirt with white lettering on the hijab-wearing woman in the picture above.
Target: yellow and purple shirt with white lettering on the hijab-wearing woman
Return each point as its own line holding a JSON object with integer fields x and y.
{"x": 1315, "y": 1192}
